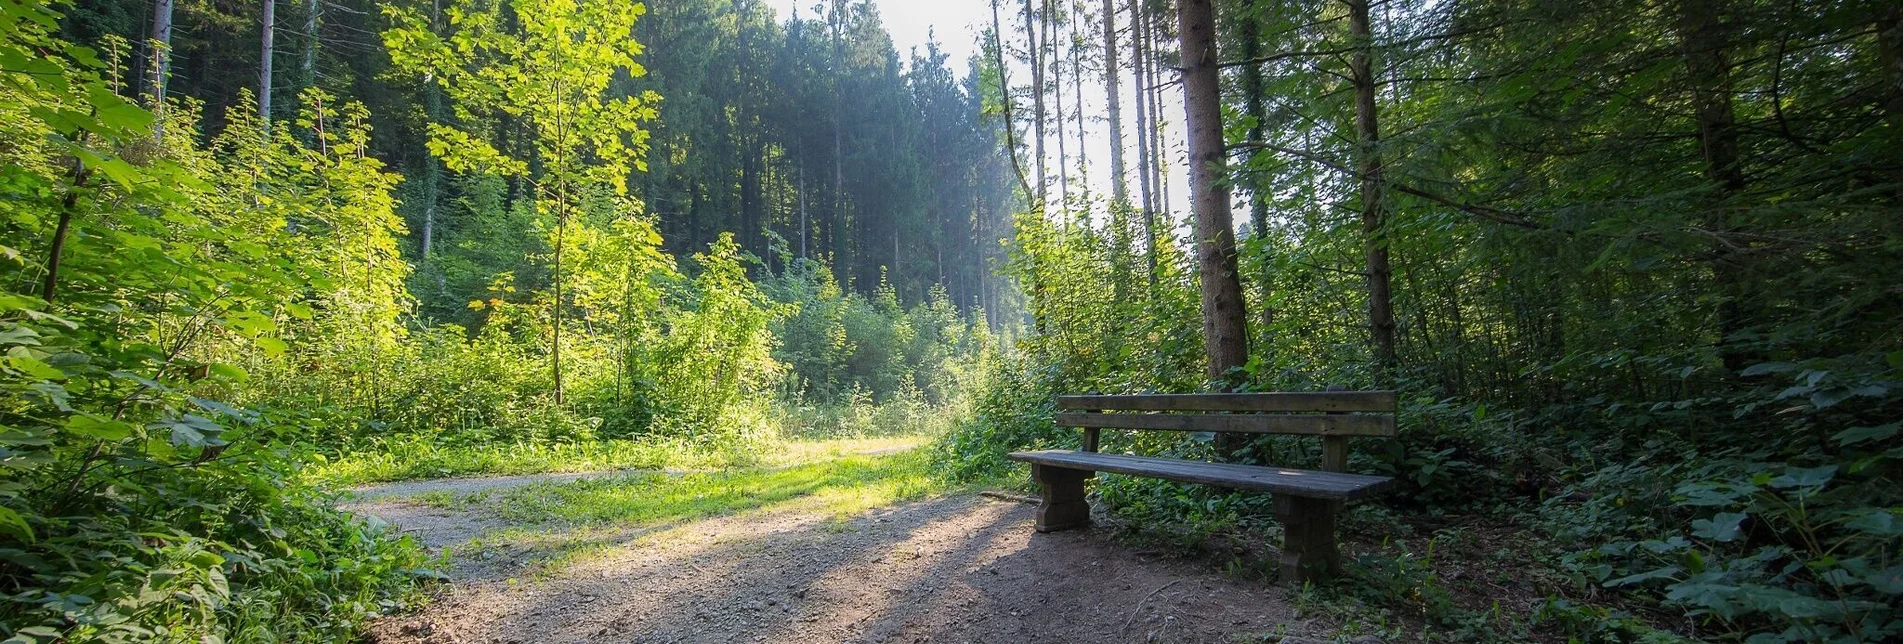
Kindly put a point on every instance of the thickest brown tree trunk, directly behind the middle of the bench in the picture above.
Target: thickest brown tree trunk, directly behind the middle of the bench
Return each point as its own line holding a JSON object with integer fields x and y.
{"x": 1225, "y": 327}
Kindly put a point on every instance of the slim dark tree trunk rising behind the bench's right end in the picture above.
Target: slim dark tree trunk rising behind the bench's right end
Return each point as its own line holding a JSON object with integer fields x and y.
{"x": 1373, "y": 188}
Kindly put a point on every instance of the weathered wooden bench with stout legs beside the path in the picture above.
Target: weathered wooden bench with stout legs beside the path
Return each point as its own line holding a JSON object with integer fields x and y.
{"x": 1306, "y": 502}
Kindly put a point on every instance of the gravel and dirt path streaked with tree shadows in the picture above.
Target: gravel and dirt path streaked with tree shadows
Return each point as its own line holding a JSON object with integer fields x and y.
{"x": 960, "y": 569}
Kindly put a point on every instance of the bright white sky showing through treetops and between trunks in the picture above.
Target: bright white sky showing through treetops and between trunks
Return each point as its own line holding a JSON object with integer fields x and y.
{"x": 958, "y": 26}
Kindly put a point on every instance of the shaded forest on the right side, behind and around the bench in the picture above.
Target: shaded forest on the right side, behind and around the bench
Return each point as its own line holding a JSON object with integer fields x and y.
{"x": 1632, "y": 268}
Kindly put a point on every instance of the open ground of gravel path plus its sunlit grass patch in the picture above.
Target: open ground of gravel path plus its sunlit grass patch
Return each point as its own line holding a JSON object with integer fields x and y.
{"x": 853, "y": 550}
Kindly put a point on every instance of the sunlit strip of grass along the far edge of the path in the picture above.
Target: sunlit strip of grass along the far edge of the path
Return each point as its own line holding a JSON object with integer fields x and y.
{"x": 408, "y": 460}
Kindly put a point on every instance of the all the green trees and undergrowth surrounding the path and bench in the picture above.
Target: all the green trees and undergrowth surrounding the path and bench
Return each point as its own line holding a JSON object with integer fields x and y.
{"x": 1636, "y": 270}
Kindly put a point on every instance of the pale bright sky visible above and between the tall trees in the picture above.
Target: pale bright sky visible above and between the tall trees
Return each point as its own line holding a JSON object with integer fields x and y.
{"x": 958, "y": 26}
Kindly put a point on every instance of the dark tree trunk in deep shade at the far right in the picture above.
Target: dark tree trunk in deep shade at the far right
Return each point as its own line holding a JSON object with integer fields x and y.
{"x": 1706, "y": 39}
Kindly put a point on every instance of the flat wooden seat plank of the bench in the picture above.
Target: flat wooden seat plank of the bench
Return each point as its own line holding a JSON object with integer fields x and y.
{"x": 1225, "y": 475}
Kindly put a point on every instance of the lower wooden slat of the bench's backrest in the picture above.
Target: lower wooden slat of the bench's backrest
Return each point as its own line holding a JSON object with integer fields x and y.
{"x": 1244, "y": 424}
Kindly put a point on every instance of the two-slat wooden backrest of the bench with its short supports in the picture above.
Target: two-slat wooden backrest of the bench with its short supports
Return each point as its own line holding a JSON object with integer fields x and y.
{"x": 1337, "y": 416}
